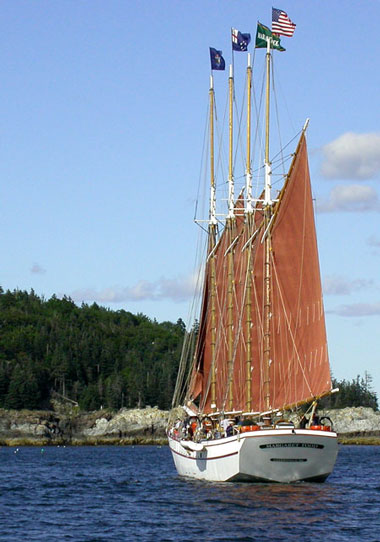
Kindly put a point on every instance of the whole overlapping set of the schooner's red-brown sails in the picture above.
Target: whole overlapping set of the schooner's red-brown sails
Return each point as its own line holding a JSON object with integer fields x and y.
{"x": 231, "y": 371}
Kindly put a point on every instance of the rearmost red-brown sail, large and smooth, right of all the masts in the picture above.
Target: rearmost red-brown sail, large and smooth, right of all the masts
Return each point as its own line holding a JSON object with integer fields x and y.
{"x": 299, "y": 367}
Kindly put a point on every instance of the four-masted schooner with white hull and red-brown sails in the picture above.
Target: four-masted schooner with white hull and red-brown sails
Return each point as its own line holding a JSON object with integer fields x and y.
{"x": 260, "y": 361}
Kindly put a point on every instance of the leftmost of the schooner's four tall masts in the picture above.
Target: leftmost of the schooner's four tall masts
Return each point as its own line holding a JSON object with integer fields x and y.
{"x": 211, "y": 245}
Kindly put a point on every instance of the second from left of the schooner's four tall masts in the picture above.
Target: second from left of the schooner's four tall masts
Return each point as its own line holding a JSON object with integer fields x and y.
{"x": 230, "y": 227}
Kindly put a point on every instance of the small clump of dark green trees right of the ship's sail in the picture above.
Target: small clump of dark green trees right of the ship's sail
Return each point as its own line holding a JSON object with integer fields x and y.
{"x": 356, "y": 393}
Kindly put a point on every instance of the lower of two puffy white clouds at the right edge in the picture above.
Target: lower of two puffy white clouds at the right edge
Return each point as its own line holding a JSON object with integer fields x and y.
{"x": 350, "y": 198}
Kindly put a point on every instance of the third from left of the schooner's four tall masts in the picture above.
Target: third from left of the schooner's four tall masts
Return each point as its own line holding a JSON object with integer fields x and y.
{"x": 248, "y": 208}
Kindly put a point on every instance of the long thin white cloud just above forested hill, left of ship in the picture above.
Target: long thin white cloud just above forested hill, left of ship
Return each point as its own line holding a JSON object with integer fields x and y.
{"x": 177, "y": 290}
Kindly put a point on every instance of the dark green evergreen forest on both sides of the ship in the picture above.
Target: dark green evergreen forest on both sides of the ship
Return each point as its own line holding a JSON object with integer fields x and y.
{"x": 97, "y": 357}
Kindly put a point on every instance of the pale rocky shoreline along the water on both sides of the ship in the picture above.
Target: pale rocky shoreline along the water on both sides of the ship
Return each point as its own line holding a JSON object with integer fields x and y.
{"x": 357, "y": 425}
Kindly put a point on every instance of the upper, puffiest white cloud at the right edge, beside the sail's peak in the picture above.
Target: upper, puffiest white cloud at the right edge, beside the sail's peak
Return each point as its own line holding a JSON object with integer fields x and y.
{"x": 352, "y": 156}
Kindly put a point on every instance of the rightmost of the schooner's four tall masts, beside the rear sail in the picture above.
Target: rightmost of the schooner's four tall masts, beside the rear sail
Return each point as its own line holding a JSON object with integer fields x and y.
{"x": 267, "y": 241}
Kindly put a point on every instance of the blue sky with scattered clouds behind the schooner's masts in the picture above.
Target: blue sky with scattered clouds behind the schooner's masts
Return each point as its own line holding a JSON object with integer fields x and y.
{"x": 102, "y": 115}
